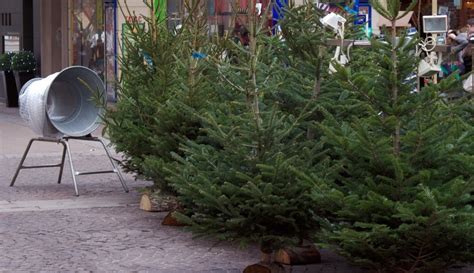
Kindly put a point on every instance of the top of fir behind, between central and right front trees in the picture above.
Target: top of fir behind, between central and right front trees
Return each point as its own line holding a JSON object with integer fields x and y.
{"x": 308, "y": 56}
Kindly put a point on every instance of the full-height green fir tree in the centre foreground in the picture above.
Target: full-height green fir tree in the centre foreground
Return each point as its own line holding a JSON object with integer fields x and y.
{"x": 240, "y": 185}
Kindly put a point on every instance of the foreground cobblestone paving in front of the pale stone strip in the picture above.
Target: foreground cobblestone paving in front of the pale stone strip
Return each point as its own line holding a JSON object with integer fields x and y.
{"x": 108, "y": 239}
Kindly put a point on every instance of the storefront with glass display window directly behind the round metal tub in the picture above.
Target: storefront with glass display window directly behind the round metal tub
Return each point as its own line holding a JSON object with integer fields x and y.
{"x": 78, "y": 32}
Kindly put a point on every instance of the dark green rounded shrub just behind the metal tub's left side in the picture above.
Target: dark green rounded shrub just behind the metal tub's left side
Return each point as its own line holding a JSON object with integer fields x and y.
{"x": 24, "y": 67}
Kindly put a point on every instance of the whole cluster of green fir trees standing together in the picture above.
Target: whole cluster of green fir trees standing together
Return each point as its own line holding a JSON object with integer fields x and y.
{"x": 261, "y": 144}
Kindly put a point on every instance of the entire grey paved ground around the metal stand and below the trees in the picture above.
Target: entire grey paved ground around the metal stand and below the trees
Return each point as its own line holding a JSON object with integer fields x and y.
{"x": 44, "y": 227}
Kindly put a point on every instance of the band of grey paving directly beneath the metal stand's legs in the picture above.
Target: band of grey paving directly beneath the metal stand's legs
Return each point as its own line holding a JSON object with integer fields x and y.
{"x": 39, "y": 184}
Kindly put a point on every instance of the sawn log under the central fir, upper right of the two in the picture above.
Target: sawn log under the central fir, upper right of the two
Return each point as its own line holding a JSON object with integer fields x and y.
{"x": 298, "y": 255}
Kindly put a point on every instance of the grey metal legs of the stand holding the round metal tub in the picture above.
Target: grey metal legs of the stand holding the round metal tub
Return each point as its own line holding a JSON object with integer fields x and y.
{"x": 66, "y": 149}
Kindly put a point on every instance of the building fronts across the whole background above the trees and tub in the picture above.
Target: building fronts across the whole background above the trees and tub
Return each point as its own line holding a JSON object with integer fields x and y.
{"x": 62, "y": 33}
